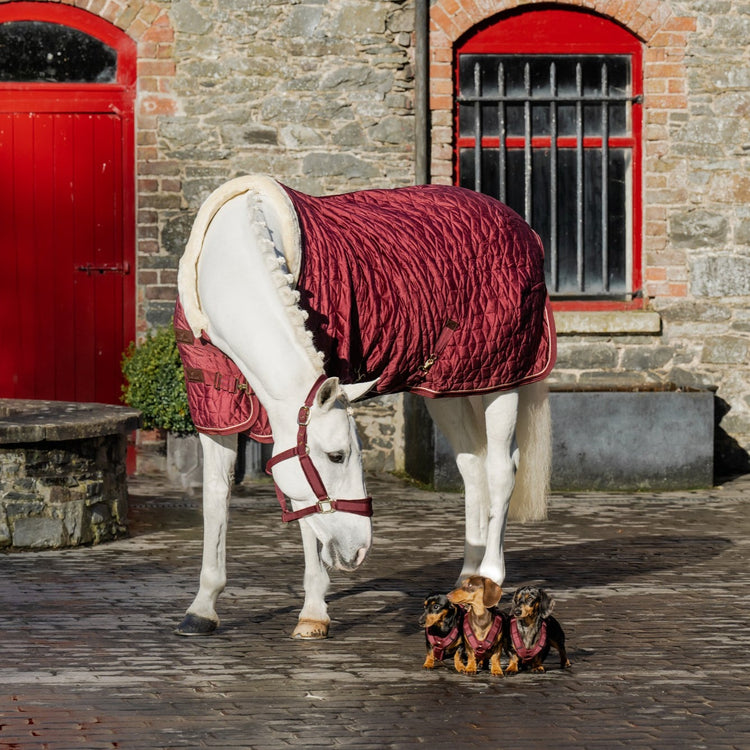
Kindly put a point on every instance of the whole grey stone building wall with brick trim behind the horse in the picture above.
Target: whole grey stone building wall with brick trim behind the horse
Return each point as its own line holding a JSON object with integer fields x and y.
{"x": 320, "y": 95}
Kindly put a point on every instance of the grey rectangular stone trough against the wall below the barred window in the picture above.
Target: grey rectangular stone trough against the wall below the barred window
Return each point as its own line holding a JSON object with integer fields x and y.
{"x": 621, "y": 437}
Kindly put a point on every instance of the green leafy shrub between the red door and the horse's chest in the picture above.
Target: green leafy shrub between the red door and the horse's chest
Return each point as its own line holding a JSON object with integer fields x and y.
{"x": 156, "y": 383}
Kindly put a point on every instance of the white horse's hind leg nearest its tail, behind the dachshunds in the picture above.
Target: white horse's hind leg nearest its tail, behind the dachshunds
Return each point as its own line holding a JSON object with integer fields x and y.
{"x": 501, "y": 411}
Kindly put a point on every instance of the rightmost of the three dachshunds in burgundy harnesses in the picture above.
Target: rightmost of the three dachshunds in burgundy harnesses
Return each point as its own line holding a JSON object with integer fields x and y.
{"x": 533, "y": 630}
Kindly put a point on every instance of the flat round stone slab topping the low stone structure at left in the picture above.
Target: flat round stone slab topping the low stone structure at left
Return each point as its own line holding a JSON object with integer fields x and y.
{"x": 30, "y": 421}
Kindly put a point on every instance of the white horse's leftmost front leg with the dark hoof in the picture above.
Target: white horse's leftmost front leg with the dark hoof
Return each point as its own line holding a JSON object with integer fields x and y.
{"x": 219, "y": 456}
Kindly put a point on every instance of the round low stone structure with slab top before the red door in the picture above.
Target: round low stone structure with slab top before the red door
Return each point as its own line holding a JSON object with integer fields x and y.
{"x": 63, "y": 478}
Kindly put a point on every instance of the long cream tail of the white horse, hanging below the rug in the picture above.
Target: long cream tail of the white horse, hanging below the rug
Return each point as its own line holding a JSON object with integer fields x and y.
{"x": 534, "y": 437}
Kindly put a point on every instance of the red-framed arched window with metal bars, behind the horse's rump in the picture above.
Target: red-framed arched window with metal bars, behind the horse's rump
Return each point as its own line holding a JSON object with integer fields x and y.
{"x": 549, "y": 121}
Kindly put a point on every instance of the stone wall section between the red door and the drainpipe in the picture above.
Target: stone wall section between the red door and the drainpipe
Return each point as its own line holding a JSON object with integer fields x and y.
{"x": 319, "y": 95}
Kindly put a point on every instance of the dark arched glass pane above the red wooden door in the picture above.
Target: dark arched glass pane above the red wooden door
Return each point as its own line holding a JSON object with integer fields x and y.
{"x": 36, "y": 52}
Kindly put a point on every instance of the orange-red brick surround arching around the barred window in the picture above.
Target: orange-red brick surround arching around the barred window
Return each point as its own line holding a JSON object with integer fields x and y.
{"x": 665, "y": 37}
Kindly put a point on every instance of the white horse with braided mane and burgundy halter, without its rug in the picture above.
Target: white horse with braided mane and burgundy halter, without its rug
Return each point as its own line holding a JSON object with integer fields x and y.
{"x": 236, "y": 283}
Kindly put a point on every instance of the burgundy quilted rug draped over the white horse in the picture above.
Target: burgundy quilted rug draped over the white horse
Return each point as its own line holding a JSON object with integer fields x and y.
{"x": 434, "y": 290}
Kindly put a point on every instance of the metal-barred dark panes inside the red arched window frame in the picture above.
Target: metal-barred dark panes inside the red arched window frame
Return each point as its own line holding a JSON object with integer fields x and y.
{"x": 552, "y": 136}
